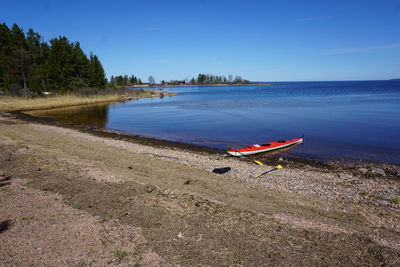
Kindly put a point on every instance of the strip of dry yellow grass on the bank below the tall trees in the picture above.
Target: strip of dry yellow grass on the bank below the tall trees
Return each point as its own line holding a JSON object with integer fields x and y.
{"x": 20, "y": 103}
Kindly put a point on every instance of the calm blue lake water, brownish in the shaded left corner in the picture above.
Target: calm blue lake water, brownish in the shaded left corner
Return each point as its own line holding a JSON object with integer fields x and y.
{"x": 354, "y": 120}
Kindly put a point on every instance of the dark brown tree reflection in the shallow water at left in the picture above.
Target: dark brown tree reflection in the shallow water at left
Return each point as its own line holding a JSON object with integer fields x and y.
{"x": 89, "y": 115}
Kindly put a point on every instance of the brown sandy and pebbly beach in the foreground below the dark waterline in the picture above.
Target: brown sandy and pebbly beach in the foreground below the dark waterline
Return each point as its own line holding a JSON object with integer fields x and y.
{"x": 80, "y": 196}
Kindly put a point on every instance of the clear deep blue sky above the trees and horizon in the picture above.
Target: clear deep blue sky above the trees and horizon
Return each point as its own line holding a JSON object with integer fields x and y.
{"x": 281, "y": 40}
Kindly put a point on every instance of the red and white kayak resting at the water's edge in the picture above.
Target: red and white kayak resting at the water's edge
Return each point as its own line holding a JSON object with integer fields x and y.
{"x": 264, "y": 147}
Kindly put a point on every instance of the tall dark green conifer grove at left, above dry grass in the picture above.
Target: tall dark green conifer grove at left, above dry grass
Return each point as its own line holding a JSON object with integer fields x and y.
{"x": 29, "y": 65}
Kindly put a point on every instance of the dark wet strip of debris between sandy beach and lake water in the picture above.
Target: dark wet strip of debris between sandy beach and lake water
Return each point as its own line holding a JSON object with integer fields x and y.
{"x": 367, "y": 168}
